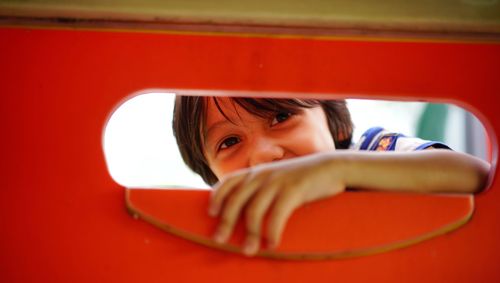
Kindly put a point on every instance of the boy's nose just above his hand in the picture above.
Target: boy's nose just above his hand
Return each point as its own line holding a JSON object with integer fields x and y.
{"x": 266, "y": 150}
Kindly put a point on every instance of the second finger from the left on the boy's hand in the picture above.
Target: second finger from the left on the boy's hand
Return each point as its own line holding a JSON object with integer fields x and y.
{"x": 232, "y": 208}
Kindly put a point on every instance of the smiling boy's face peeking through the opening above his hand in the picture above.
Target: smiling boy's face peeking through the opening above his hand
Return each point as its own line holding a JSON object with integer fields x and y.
{"x": 250, "y": 140}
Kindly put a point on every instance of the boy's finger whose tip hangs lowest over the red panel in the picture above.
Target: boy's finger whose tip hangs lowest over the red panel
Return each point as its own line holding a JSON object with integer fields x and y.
{"x": 254, "y": 215}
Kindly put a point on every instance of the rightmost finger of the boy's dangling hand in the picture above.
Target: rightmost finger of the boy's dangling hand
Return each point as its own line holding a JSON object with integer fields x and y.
{"x": 283, "y": 208}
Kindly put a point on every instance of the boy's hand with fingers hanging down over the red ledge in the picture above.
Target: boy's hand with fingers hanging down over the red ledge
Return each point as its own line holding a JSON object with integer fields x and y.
{"x": 276, "y": 188}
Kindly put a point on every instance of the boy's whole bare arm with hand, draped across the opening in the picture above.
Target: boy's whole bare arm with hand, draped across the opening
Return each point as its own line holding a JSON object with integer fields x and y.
{"x": 280, "y": 187}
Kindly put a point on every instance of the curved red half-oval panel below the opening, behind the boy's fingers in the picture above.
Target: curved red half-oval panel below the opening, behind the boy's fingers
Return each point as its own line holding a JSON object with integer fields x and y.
{"x": 394, "y": 221}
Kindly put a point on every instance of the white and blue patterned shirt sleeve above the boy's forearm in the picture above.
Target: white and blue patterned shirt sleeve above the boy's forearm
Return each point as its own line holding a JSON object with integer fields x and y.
{"x": 379, "y": 139}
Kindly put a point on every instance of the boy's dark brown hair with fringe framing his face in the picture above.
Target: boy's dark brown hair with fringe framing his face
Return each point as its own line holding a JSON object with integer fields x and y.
{"x": 190, "y": 116}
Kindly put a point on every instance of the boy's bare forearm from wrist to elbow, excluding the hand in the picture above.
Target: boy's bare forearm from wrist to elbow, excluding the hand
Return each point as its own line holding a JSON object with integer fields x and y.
{"x": 435, "y": 170}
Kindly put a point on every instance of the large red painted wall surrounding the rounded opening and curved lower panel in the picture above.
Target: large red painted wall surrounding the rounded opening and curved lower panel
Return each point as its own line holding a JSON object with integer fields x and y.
{"x": 63, "y": 218}
